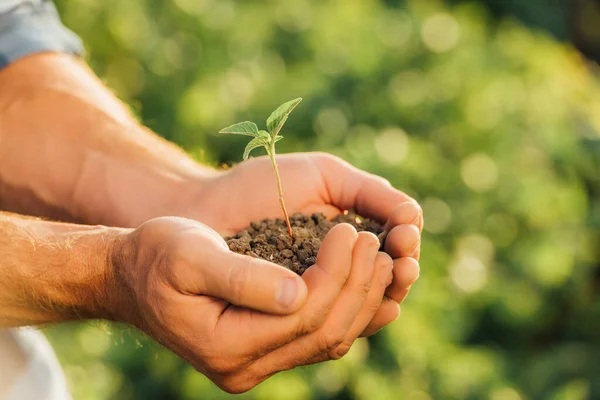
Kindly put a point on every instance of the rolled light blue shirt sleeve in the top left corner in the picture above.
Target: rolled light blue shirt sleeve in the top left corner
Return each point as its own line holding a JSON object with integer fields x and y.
{"x": 33, "y": 26}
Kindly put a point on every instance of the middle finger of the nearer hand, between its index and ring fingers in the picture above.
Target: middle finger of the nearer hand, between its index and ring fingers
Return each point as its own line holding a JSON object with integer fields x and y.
{"x": 339, "y": 320}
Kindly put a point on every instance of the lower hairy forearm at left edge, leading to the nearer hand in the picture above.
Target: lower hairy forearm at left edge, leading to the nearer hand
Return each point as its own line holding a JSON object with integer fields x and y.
{"x": 53, "y": 272}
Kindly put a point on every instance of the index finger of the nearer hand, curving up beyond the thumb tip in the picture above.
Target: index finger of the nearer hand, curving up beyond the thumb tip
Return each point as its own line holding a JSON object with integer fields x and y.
{"x": 256, "y": 334}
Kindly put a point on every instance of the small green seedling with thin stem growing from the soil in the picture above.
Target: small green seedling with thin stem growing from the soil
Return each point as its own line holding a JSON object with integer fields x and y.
{"x": 267, "y": 140}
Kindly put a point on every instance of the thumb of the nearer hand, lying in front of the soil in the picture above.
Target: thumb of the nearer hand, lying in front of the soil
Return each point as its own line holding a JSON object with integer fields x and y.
{"x": 252, "y": 283}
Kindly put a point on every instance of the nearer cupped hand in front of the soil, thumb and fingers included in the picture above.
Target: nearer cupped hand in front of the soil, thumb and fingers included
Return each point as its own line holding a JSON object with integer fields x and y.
{"x": 239, "y": 319}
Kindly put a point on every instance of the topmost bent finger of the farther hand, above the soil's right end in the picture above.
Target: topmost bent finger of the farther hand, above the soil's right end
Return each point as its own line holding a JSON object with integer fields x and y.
{"x": 349, "y": 187}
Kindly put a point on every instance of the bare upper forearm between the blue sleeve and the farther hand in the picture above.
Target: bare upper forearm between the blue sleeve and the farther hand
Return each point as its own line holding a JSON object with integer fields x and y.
{"x": 70, "y": 150}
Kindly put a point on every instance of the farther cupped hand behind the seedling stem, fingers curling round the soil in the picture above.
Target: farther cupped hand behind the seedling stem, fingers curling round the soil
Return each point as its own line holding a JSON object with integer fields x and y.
{"x": 317, "y": 182}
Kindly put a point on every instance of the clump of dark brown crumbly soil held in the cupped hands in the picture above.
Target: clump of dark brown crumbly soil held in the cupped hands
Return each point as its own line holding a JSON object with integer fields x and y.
{"x": 269, "y": 239}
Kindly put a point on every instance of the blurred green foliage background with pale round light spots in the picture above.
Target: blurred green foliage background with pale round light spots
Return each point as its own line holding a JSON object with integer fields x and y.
{"x": 483, "y": 111}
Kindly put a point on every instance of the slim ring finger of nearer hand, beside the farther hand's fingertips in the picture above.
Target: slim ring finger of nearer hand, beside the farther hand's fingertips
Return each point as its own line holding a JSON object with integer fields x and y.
{"x": 382, "y": 277}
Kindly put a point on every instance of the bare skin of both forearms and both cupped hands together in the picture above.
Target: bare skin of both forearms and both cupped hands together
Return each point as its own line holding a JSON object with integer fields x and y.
{"x": 70, "y": 151}
